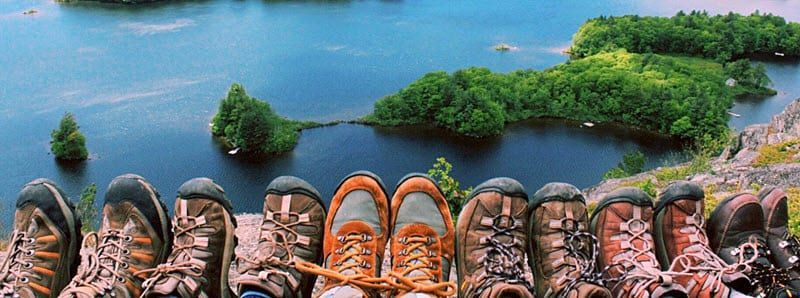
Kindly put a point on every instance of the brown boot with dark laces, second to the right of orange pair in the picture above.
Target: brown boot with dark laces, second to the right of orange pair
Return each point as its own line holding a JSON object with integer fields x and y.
{"x": 563, "y": 254}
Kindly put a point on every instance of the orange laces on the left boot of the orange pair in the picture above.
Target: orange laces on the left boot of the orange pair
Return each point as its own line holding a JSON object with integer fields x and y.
{"x": 352, "y": 258}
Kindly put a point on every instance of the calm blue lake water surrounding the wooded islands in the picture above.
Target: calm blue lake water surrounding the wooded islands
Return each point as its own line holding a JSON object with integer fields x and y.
{"x": 144, "y": 81}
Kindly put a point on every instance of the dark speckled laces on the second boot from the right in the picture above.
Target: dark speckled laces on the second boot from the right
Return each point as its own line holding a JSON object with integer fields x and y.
{"x": 763, "y": 275}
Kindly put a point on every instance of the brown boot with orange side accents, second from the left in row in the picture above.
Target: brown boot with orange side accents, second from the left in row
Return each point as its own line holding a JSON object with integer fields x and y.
{"x": 135, "y": 235}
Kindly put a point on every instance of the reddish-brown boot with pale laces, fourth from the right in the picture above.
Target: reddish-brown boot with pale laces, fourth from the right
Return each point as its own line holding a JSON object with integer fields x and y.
{"x": 623, "y": 224}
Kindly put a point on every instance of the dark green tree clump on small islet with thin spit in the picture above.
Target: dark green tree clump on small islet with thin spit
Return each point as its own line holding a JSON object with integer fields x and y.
{"x": 250, "y": 124}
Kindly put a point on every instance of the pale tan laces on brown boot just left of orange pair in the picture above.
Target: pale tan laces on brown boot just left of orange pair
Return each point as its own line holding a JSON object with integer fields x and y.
{"x": 277, "y": 237}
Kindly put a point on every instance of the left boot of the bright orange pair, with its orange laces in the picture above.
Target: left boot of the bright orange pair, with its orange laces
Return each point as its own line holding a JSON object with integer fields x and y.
{"x": 356, "y": 231}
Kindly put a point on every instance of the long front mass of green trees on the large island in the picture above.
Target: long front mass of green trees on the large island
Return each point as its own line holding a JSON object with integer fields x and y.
{"x": 681, "y": 96}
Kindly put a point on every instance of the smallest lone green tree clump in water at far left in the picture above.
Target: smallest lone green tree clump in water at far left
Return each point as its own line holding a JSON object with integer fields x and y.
{"x": 68, "y": 143}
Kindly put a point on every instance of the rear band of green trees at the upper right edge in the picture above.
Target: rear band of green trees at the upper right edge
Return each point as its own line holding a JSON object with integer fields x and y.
{"x": 720, "y": 37}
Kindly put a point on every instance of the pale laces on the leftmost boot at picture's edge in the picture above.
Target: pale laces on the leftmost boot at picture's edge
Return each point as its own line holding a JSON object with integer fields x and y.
{"x": 19, "y": 262}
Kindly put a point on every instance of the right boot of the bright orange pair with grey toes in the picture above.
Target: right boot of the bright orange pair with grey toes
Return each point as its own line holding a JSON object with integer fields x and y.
{"x": 422, "y": 245}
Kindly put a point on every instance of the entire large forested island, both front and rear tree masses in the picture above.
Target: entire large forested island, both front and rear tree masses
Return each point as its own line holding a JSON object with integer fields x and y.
{"x": 638, "y": 71}
